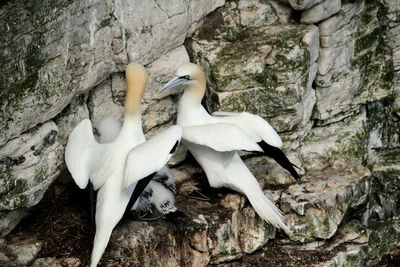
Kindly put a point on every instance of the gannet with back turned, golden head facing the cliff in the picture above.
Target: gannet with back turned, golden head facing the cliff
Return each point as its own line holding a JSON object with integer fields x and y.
{"x": 119, "y": 170}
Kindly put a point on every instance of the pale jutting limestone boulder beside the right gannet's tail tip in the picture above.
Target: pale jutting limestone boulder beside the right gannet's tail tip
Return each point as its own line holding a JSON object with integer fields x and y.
{"x": 315, "y": 208}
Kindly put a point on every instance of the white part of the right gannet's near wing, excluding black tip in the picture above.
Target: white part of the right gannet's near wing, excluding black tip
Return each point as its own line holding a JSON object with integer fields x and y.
{"x": 222, "y": 137}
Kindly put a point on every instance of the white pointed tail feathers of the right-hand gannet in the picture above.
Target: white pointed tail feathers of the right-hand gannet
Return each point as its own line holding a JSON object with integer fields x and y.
{"x": 267, "y": 210}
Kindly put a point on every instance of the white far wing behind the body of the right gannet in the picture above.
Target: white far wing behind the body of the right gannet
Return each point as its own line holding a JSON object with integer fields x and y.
{"x": 252, "y": 125}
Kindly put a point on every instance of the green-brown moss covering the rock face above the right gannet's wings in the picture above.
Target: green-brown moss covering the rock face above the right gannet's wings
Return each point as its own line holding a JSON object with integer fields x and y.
{"x": 264, "y": 69}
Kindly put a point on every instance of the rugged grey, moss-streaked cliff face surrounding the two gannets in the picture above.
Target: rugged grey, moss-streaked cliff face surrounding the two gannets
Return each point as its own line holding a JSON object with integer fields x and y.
{"x": 324, "y": 73}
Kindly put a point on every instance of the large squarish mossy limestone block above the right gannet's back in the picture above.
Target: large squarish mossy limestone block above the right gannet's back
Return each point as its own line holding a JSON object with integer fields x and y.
{"x": 266, "y": 73}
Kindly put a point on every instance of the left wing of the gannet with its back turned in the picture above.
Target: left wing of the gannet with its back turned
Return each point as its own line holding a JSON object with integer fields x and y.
{"x": 82, "y": 154}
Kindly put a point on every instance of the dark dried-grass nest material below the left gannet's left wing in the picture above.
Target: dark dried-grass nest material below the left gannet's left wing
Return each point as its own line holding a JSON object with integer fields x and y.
{"x": 62, "y": 224}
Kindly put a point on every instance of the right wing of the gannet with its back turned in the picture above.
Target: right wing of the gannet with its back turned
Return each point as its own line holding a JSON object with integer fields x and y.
{"x": 151, "y": 156}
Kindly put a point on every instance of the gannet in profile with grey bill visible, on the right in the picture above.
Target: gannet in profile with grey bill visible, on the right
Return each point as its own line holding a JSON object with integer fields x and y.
{"x": 214, "y": 140}
